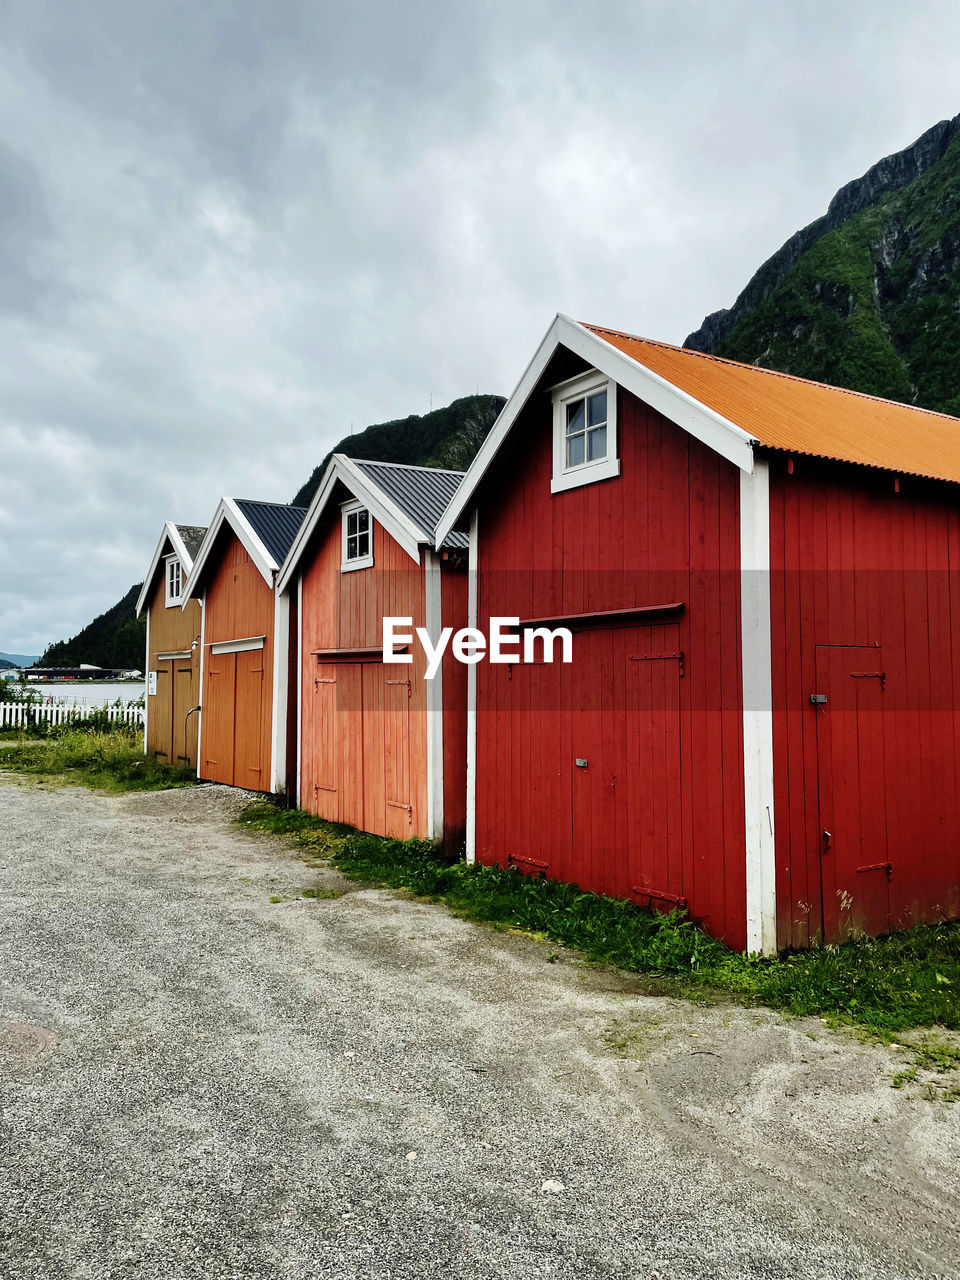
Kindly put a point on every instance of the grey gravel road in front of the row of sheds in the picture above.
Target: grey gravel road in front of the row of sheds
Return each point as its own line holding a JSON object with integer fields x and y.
{"x": 199, "y": 1082}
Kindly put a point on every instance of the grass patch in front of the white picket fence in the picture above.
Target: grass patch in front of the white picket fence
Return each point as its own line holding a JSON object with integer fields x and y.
{"x": 109, "y": 761}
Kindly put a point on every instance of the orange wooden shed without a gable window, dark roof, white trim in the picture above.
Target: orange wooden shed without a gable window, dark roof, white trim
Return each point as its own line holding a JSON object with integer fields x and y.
{"x": 245, "y": 643}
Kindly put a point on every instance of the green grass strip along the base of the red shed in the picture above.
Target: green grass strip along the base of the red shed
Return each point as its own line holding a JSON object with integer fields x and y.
{"x": 883, "y": 986}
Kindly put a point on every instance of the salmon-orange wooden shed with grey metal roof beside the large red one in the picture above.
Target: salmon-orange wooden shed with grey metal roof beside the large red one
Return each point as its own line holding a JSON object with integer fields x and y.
{"x": 380, "y": 747}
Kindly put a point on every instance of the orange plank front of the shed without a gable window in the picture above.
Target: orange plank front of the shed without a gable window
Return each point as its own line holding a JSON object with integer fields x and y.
{"x": 239, "y": 605}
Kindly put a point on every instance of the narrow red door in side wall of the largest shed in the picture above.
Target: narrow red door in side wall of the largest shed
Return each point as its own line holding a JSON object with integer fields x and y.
{"x": 856, "y": 866}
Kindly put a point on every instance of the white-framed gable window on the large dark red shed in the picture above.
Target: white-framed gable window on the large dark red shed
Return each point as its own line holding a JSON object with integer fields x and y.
{"x": 584, "y": 432}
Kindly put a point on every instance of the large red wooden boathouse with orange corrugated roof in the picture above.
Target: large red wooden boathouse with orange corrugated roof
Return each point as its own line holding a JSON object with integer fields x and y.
{"x": 761, "y": 721}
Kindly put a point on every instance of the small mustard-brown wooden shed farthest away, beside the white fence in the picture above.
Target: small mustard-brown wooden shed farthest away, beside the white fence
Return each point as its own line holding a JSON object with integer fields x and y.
{"x": 172, "y": 648}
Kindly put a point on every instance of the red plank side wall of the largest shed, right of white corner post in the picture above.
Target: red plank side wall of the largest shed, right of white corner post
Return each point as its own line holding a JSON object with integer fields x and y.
{"x": 865, "y": 583}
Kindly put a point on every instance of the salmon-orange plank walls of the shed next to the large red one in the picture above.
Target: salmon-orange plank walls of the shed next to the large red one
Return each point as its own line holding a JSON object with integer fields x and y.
{"x": 364, "y": 753}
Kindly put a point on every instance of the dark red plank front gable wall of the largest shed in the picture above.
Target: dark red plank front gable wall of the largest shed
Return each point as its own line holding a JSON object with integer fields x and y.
{"x": 660, "y": 807}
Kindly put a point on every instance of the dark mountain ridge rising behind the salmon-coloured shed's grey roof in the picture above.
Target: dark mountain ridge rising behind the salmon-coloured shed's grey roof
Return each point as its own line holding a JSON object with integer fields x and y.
{"x": 446, "y": 438}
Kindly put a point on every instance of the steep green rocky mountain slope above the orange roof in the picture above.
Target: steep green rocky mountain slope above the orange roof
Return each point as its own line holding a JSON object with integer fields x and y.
{"x": 867, "y": 296}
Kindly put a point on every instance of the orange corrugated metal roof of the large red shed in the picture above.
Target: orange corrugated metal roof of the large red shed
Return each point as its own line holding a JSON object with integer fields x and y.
{"x": 799, "y": 417}
